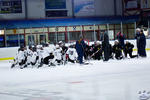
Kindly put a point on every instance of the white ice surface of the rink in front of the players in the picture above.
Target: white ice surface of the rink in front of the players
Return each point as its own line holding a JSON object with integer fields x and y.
{"x": 112, "y": 80}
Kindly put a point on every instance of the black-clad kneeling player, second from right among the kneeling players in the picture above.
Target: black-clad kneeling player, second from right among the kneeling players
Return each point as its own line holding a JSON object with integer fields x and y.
{"x": 117, "y": 50}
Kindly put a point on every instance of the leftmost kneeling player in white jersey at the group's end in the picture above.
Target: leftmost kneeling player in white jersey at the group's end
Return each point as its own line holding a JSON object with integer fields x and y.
{"x": 20, "y": 58}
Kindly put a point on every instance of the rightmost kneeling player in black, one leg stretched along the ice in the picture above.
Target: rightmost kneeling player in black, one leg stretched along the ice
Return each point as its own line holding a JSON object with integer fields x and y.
{"x": 129, "y": 49}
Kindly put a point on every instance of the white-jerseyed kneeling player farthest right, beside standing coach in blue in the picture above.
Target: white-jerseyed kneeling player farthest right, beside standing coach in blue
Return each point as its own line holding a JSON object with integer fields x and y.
{"x": 71, "y": 54}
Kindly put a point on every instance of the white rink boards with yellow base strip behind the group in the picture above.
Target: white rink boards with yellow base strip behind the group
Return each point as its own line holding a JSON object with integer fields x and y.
{"x": 9, "y": 53}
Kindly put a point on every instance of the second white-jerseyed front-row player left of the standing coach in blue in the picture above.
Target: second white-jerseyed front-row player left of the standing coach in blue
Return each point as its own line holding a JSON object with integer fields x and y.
{"x": 58, "y": 55}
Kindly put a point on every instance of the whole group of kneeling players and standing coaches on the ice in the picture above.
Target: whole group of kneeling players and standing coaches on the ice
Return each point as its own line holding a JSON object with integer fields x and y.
{"x": 59, "y": 53}
